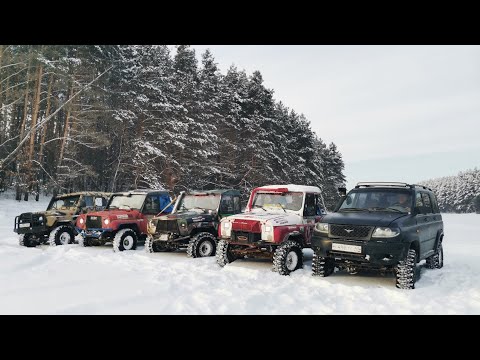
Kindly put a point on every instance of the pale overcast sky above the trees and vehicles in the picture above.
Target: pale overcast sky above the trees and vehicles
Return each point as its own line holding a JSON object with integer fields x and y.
{"x": 396, "y": 113}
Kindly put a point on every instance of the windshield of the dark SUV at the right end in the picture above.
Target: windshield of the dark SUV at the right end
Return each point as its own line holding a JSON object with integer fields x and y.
{"x": 393, "y": 200}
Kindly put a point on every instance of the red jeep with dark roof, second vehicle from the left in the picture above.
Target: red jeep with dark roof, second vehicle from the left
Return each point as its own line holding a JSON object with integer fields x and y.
{"x": 125, "y": 219}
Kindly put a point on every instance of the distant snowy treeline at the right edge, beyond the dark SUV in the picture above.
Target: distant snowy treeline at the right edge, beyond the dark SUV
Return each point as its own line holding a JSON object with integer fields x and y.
{"x": 458, "y": 194}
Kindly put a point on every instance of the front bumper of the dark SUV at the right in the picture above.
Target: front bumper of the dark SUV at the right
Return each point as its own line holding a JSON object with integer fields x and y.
{"x": 374, "y": 252}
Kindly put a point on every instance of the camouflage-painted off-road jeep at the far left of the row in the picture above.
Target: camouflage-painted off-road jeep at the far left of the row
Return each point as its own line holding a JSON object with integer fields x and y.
{"x": 56, "y": 225}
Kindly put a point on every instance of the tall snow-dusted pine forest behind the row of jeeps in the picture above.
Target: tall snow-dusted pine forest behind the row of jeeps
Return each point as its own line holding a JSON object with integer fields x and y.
{"x": 152, "y": 120}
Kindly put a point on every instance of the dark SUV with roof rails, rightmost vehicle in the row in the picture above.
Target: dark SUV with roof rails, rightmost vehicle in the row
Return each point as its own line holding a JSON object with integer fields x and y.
{"x": 381, "y": 226}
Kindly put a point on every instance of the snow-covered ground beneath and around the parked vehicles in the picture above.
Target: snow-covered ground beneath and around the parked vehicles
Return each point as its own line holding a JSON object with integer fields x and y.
{"x": 75, "y": 280}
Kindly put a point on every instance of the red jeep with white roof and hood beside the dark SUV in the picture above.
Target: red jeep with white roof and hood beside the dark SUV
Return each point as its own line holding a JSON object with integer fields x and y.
{"x": 277, "y": 223}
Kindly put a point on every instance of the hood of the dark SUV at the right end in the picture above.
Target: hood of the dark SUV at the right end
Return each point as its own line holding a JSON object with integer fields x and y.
{"x": 373, "y": 218}
